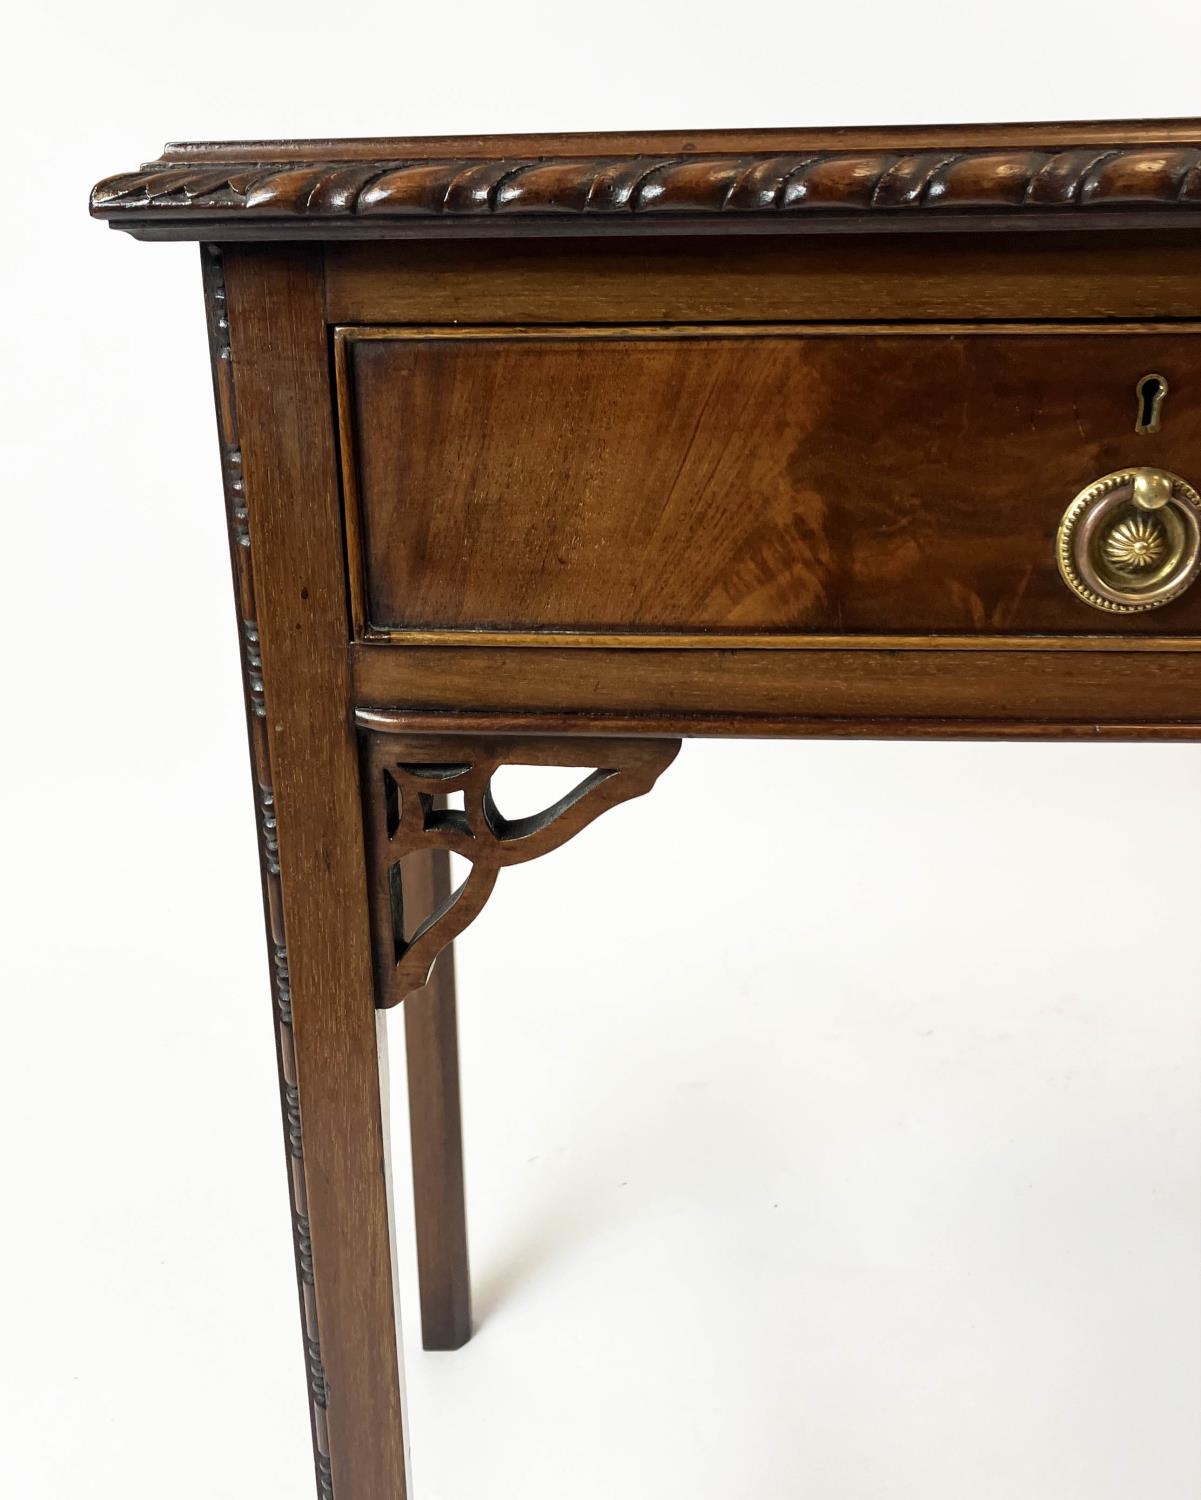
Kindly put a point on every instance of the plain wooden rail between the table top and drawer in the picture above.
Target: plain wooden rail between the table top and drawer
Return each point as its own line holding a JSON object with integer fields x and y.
{"x": 990, "y": 277}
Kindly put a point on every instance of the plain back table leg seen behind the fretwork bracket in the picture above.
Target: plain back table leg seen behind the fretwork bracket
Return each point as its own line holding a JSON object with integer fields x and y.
{"x": 436, "y": 1124}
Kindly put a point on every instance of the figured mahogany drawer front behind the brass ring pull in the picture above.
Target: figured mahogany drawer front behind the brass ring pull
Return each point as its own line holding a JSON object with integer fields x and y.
{"x": 746, "y": 481}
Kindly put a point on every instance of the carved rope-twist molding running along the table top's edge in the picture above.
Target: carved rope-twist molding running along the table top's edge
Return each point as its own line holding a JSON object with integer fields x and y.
{"x": 825, "y": 182}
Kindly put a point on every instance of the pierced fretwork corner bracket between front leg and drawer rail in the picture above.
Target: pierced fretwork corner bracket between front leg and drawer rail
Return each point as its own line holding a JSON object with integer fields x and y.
{"x": 407, "y": 781}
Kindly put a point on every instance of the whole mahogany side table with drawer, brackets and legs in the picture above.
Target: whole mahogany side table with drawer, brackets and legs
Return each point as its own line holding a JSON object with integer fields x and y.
{"x": 559, "y": 449}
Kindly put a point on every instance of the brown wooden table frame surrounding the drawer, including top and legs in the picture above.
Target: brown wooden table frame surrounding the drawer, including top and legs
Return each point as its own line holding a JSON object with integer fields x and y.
{"x": 1008, "y": 224}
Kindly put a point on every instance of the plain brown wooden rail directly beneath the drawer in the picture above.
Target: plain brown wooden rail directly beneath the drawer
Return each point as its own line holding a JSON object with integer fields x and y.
{"x": 783, "y": 686}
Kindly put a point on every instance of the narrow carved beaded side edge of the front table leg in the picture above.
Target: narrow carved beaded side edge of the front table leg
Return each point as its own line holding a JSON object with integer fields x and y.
{"x": 269, "y": 850}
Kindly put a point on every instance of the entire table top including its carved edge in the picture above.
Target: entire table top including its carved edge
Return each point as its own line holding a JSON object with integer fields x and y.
{"x": 1061, "y": 175}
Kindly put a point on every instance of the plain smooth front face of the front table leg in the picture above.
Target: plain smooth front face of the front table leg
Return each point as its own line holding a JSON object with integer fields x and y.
{"x": 278, "y": 341}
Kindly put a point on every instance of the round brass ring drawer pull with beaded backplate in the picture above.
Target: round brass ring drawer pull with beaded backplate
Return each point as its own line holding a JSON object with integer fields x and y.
{"x": 1131, "y": 541}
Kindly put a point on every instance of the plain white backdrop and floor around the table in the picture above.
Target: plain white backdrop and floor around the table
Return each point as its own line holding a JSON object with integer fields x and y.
{"x": 845, "y": 1142}
